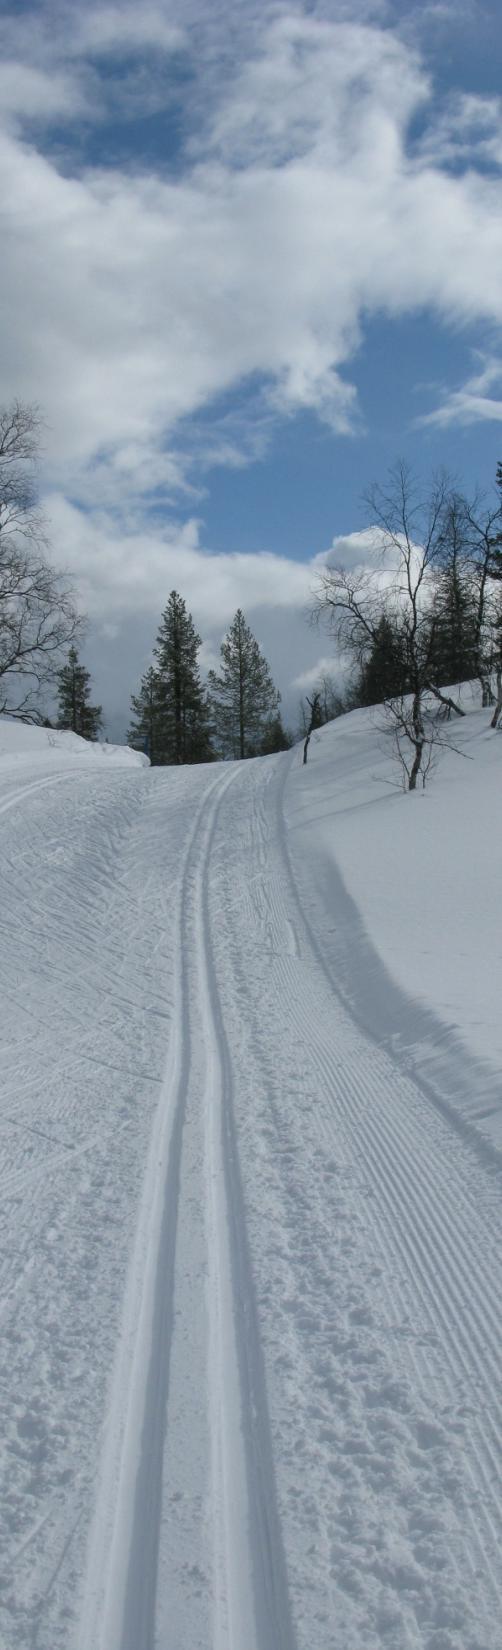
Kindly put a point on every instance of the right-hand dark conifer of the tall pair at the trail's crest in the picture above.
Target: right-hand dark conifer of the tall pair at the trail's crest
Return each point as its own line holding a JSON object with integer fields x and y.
{"x": 244, "y": 695}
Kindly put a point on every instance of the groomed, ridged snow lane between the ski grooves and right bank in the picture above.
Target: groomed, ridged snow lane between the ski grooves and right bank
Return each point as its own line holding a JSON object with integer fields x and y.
{"x": 384, "y": 1364}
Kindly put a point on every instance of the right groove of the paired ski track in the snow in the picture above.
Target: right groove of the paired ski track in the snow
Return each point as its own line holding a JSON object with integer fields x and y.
{"x": 252, "y": 1601}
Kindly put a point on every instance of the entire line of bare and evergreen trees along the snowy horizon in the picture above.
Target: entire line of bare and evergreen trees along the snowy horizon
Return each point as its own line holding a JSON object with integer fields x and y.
{"x": 422, "y": 620}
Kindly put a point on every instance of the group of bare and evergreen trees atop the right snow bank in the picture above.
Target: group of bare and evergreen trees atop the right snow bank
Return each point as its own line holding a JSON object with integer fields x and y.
{"x": 427, "y": 615}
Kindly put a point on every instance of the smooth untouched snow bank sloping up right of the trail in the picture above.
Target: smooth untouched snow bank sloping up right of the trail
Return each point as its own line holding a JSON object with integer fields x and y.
{"x": 412, "y": 895}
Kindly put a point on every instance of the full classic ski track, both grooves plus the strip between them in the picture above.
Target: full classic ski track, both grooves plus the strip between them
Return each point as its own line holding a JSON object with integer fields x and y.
{"x": 187, "y": 1487}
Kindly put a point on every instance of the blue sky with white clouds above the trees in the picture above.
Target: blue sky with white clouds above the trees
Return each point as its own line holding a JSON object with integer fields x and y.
{"x": 252, "y": 255}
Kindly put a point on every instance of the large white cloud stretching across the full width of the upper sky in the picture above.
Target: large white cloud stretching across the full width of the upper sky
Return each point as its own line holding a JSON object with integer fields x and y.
{"x": 136, "y": 299}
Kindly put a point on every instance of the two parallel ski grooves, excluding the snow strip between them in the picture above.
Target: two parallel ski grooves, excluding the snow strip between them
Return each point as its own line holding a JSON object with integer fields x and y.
{"x": 252, "y": 1608}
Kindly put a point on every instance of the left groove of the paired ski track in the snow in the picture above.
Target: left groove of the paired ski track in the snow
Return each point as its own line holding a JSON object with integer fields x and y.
{"x": 120, "y": 1601}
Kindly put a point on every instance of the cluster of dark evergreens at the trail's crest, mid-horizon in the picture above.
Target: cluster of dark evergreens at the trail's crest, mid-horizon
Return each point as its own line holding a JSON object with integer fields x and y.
{"x": 176, "y": 719}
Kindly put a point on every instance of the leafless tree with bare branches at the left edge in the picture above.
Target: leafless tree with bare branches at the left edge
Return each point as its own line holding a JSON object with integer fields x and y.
{"x": 37, "y": 611}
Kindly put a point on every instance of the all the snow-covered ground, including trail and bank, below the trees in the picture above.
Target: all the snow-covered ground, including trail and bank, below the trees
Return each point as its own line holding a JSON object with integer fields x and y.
{"x": 250, "y": 1181}
